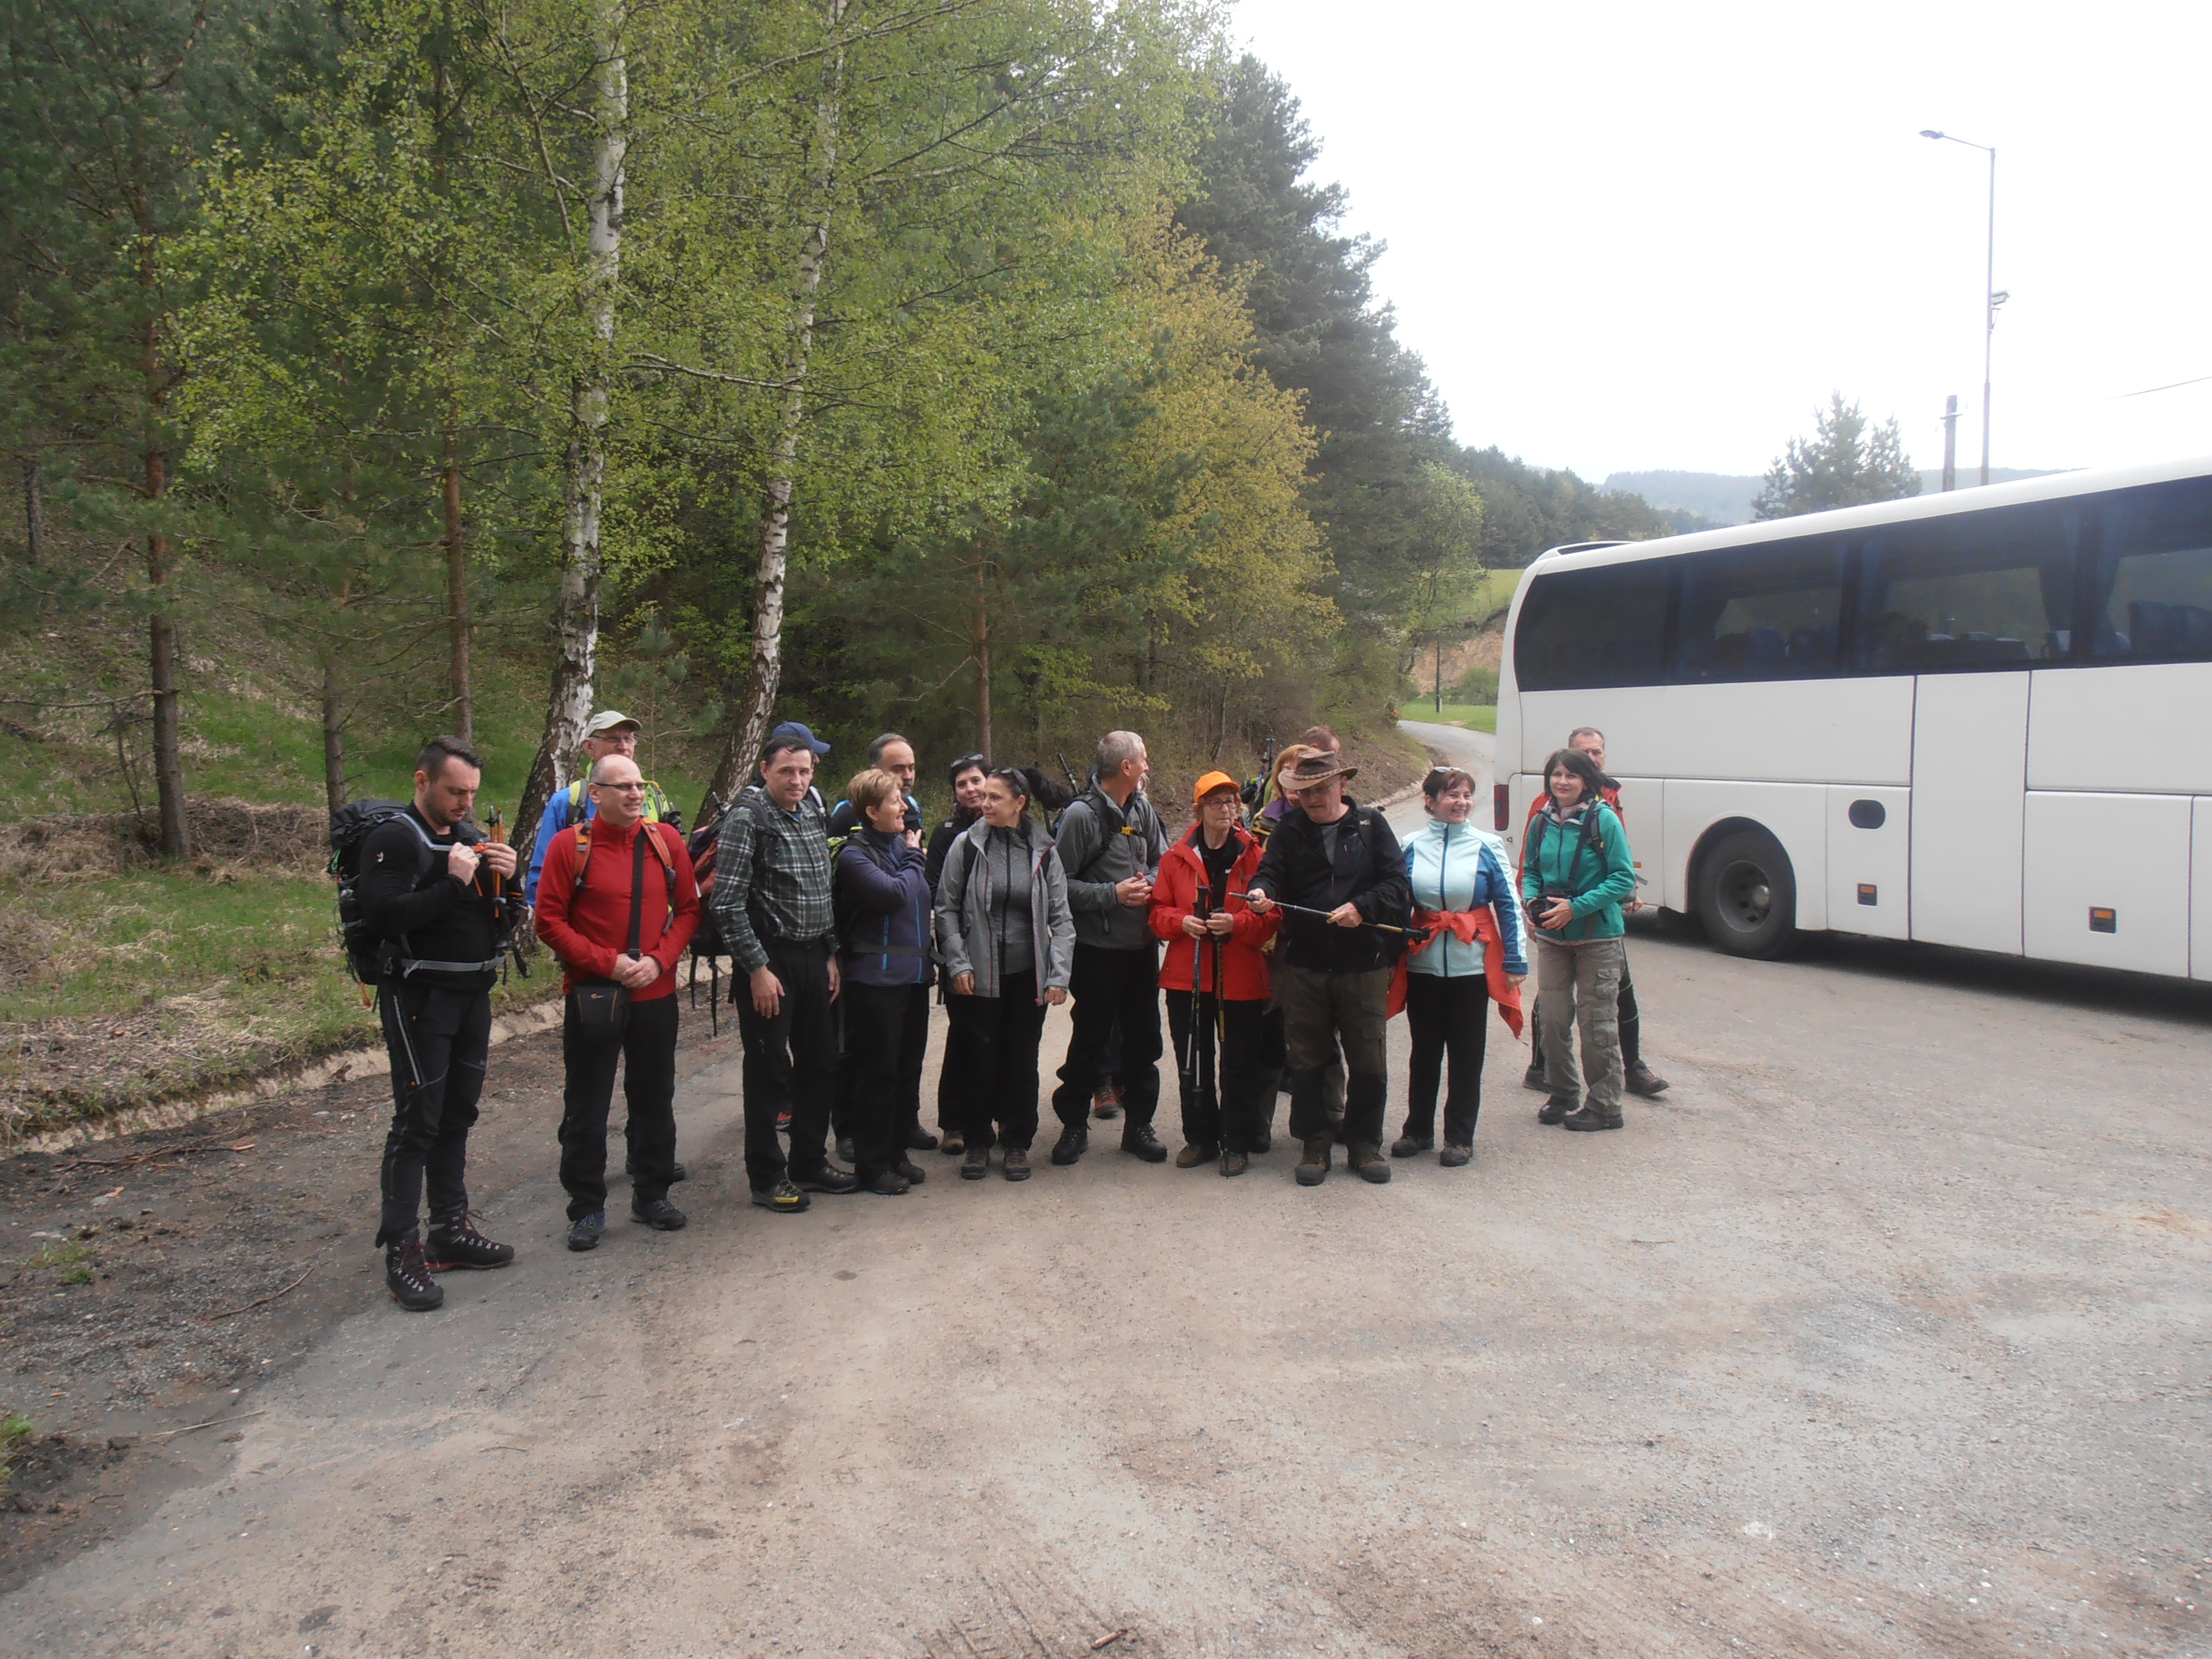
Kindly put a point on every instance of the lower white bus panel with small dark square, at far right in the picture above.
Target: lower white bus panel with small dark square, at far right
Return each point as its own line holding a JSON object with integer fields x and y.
{"x": 2107, "y": 881}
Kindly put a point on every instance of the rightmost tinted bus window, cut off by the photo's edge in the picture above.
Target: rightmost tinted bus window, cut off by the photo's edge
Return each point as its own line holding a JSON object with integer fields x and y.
{"x": 2151, "y": 585}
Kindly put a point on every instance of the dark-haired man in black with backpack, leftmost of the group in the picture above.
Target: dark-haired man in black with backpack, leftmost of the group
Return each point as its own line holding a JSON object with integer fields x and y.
{"x": 430, "y": 895}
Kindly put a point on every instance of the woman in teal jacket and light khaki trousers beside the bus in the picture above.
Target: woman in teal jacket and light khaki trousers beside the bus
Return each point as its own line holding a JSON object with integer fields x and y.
{"x": 1576, "y": 875}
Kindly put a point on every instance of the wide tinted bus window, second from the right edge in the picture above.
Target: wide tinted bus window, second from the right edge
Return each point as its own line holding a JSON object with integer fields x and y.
{"x": 1972, "y": 592}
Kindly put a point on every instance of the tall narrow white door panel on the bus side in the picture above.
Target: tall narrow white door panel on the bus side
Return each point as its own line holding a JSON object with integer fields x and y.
{"x": 1970, "y": 800}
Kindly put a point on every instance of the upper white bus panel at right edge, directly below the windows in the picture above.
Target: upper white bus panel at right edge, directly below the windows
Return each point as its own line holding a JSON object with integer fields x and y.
{"x": 2131, "y": 727}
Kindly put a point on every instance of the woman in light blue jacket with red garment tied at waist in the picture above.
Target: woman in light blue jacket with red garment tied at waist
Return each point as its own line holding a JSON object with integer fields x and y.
{"x": 1463, "y": 890}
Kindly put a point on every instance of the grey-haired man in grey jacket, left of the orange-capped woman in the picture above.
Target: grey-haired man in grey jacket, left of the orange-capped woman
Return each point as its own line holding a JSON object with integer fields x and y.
{"x": 1112, "y": 844}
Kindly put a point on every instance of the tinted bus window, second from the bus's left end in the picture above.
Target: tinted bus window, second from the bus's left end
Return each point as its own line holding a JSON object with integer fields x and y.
{"x": 1762, "y": 614}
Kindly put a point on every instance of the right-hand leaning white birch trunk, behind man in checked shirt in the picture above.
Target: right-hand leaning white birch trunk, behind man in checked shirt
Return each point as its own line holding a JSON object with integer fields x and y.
{"x": 766, "y": 669}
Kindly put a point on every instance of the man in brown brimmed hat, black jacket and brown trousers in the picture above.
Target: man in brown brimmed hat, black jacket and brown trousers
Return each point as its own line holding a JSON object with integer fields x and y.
{"x": 1342, "y": 870}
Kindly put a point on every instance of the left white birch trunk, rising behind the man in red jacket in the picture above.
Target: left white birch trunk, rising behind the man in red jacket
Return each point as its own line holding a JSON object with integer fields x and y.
{"x": 576, "y": 616}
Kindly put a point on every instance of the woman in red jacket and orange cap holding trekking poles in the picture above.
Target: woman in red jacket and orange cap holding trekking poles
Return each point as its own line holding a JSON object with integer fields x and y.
{"x": 1218, "y": 981}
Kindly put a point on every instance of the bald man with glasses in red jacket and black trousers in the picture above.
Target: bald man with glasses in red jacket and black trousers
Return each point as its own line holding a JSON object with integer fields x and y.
{"x": 618, "y": 904}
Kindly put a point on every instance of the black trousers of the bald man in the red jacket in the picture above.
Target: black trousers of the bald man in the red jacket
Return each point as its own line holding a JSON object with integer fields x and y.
{"x": 649, "y": 1087}
